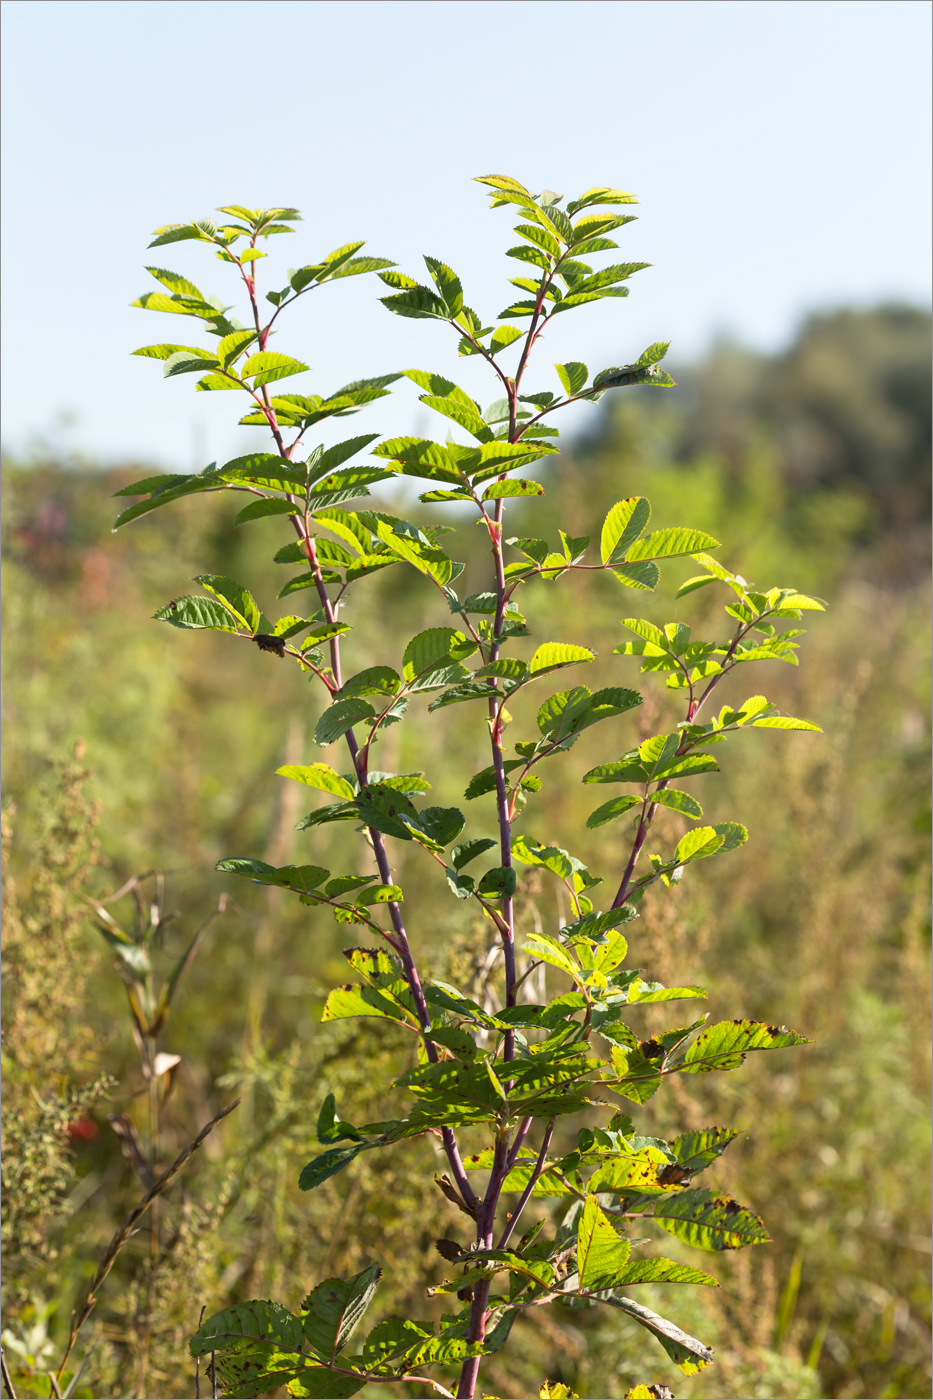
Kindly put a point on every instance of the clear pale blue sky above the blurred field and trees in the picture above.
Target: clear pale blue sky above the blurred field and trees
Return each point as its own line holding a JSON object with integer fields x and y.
{"x": 780, "y": 153}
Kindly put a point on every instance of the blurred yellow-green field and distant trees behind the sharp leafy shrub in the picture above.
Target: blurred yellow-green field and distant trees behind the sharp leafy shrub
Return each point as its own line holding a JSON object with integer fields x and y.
{"x": 813, "y": 468}
